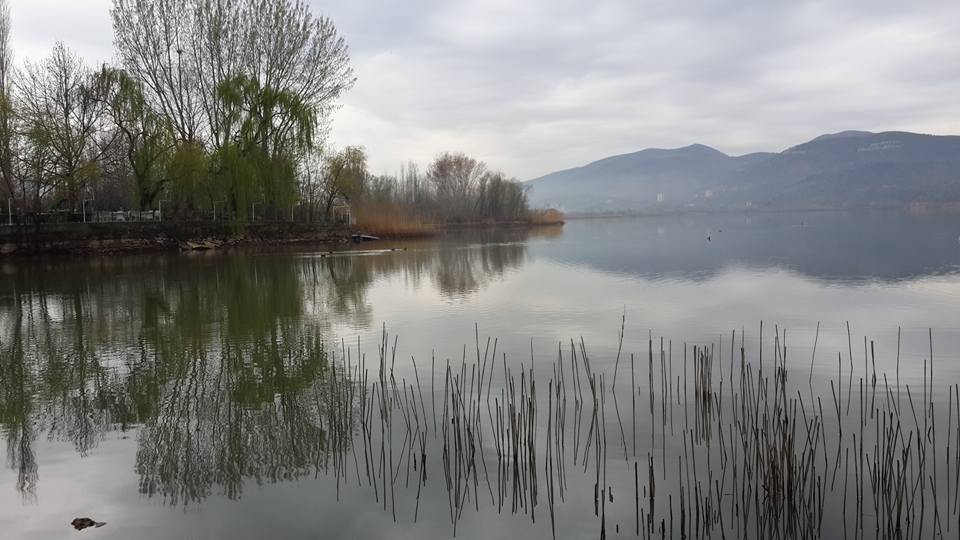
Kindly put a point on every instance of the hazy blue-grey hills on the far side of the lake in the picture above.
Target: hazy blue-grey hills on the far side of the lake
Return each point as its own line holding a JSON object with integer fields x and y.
{"x": 841, "y": 170}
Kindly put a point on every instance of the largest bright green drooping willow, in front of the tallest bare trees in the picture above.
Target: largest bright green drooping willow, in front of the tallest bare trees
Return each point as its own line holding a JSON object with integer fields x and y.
{"x": 268, "y": 130}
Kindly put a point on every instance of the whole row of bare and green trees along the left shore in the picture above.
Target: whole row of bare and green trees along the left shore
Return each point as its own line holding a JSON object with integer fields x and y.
{"x": 213, "y": 106}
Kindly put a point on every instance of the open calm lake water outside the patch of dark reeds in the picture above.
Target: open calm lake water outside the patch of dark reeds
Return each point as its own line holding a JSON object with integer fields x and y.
{"x": 177, "y": 396}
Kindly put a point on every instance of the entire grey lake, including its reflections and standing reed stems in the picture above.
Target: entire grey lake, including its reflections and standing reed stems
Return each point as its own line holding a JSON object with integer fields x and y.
{"x": 762, "y": 375}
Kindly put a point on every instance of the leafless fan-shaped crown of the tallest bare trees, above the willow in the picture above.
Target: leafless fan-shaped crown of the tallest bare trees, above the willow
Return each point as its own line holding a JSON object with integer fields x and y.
{"x": 185, "y": 50}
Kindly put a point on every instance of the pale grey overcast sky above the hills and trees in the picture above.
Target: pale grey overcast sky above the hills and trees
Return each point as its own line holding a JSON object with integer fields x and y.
{"x": 533, "y": 86}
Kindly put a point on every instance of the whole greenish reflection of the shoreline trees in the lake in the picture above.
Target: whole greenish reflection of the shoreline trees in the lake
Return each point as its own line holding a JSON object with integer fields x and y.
{"x": 220, "y": 364}
